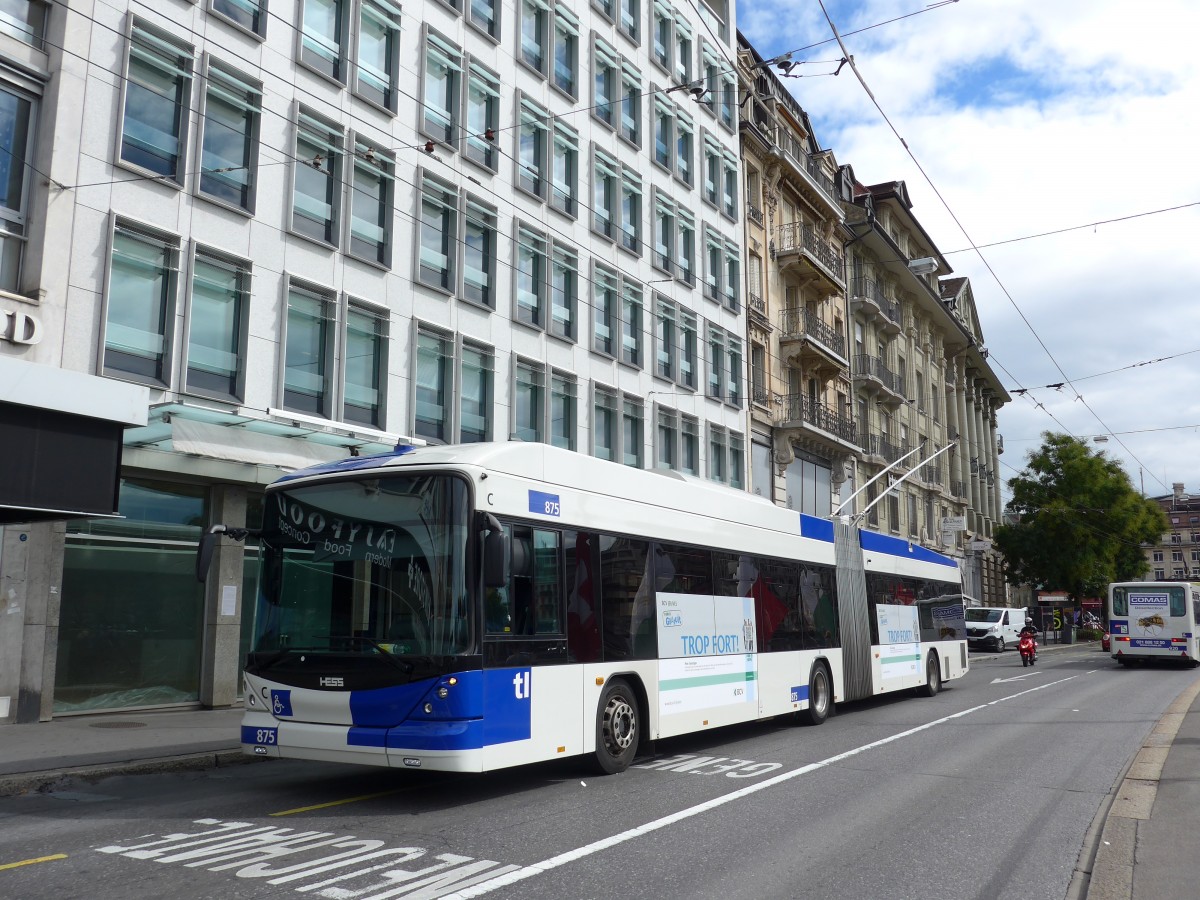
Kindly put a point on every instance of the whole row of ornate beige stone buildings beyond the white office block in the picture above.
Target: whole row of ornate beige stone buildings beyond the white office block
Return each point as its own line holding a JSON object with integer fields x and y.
{"x": 863, "y": 351}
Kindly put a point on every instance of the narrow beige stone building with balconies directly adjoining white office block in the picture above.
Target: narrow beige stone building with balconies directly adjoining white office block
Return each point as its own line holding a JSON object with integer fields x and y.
{"x": 803, "y": 437}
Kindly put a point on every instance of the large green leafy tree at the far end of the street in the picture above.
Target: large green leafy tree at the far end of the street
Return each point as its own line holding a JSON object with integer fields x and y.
{"x": 1077, "y": 521}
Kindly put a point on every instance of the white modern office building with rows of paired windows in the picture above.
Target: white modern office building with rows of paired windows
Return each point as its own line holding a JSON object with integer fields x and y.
{"x": 253, "y": 235}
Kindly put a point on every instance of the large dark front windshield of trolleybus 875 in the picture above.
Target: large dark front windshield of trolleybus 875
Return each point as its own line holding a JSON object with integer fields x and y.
{"x": 375, "y": 566}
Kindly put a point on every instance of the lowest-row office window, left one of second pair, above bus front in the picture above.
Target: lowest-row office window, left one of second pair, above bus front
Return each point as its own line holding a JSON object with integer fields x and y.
{"x": 308, "y": 353}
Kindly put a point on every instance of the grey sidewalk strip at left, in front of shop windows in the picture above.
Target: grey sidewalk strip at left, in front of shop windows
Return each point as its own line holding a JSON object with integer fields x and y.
{"x": 34, "y": 757}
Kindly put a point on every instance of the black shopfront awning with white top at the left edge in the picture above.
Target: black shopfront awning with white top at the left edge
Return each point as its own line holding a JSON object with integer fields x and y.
{"x": 61, "y": 441}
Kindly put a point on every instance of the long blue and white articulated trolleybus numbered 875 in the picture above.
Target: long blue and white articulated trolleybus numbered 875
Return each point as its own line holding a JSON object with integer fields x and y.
{"x": 472, "y": 608}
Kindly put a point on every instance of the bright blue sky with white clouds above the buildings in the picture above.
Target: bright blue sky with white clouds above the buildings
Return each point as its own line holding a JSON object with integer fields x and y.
{"x": 1031, "y": 117}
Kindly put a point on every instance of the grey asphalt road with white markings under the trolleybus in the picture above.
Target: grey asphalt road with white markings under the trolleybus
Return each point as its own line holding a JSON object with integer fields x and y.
{"x": 986, "y": 791}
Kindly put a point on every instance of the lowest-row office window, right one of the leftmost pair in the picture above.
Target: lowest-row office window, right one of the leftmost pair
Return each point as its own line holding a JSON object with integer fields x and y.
{"x": 217, "y": 341}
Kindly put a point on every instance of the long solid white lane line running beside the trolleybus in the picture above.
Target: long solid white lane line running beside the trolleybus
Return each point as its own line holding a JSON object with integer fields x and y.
{"x": 587, "y": 850}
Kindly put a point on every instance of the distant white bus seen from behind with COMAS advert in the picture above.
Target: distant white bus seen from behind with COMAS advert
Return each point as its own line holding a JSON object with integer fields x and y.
{"x": 1155, "y": 620}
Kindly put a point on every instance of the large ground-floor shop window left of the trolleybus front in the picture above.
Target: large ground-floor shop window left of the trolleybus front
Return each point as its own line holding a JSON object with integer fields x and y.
{"x": 131, "y": 627}
